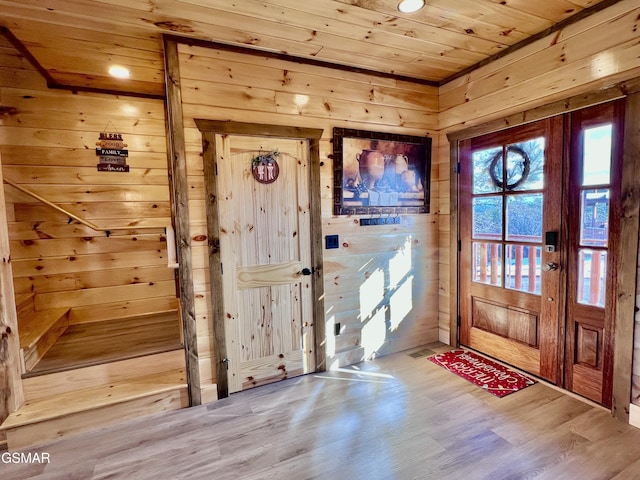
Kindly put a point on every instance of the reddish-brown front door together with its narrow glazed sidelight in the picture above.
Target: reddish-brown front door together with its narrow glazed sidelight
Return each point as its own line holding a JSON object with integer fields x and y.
{"x": 539, "y": 236}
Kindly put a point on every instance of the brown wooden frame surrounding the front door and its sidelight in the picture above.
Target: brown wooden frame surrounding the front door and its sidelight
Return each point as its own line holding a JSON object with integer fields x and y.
{"x": 629, "y": 222}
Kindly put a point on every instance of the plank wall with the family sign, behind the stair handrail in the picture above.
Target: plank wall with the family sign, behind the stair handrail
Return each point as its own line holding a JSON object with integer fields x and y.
{"x": 47, "y": 142}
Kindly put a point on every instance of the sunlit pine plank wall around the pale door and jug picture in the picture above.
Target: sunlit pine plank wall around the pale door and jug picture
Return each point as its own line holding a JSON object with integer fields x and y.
{"x": 222, "y": 85}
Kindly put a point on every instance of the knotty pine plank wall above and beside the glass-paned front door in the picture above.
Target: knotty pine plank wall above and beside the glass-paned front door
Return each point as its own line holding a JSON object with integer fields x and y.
{"x": 583, "y": 58}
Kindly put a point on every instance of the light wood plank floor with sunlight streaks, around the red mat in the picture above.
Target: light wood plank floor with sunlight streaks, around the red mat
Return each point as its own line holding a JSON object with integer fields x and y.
{"x": 399, "y": 417}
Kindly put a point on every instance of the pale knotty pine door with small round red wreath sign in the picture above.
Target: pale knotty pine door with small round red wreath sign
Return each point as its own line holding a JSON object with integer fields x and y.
{"x": 266, "y": 259}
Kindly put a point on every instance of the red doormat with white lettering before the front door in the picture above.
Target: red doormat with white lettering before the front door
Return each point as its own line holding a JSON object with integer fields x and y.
{"x": 493, "y": 377}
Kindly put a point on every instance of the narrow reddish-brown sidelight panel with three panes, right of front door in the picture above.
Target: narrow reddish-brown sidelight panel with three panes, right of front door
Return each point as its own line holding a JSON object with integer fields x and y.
{"x": 594, "y": 192}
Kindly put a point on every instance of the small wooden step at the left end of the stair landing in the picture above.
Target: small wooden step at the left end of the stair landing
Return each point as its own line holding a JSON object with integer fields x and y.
{"x": 38, "y": 332}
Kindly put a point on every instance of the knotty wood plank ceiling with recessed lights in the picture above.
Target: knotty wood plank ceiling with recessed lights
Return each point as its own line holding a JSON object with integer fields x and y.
{"x": 75, "y": 41}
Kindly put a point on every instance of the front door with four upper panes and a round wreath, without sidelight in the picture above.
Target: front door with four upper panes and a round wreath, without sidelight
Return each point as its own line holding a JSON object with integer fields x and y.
{"x": 510, "y": 208}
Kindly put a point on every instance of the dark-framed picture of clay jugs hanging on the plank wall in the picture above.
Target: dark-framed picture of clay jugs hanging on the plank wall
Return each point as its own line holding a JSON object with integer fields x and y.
{"x": 380, "y": 173}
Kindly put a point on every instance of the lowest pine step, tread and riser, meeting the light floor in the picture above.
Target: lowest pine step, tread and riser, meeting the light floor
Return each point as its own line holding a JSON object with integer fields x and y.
{"x": 71, "y": 412}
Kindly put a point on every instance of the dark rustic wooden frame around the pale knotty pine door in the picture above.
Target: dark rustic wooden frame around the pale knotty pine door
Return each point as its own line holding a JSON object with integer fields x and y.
{"x": 209, "y": 129}
